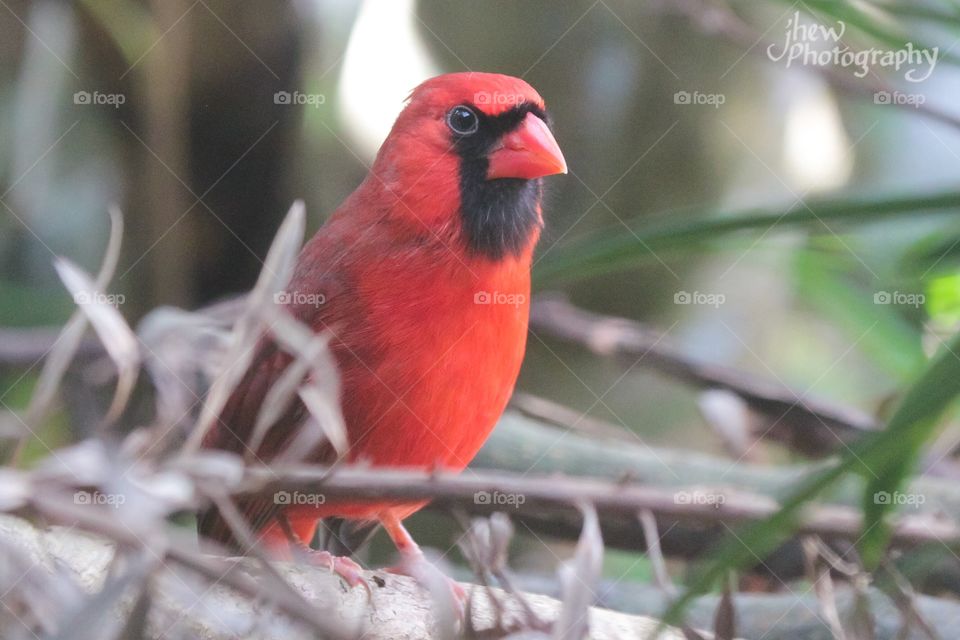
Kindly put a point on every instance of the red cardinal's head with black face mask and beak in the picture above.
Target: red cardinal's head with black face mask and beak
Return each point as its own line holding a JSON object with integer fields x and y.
{"x": 465, "y": 158}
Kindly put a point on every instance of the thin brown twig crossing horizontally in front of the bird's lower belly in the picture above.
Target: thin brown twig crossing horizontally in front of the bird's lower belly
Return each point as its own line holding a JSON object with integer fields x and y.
{"x": 552, "y": 493}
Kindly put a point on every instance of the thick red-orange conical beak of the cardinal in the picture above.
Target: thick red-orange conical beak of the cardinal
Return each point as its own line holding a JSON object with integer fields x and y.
{"x": 529, "y": 151}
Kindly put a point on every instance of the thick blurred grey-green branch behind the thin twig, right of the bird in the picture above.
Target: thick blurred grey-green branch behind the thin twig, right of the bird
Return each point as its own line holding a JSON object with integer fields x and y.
{"x": 524, "y": 445}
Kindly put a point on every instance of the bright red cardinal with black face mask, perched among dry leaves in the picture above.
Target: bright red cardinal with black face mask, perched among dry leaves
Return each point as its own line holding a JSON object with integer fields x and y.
{"x": 425, "y": 273}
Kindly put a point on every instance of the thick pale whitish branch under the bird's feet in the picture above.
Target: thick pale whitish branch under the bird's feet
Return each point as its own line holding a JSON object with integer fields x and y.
{"x": 397, "y": 609}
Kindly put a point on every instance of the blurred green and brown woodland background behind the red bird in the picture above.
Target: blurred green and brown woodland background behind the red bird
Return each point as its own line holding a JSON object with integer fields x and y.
{"x": 205, "y": 119}
